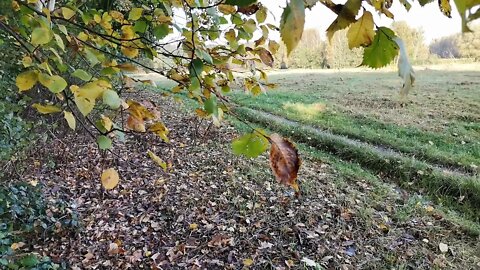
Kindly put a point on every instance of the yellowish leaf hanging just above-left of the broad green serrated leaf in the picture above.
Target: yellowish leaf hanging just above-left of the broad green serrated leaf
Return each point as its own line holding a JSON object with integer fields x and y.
{"x": 361, "y": 33}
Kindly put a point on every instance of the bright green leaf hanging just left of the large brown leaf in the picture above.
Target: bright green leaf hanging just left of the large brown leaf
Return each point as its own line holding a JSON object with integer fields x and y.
{"x": 251, "y": 145}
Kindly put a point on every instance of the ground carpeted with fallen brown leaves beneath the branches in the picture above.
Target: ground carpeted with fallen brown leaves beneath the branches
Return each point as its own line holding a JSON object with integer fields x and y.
{"x": 214, "y": 210}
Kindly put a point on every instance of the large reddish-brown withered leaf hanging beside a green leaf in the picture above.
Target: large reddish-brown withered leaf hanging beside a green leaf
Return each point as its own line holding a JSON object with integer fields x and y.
{"x": 284, "y": 161}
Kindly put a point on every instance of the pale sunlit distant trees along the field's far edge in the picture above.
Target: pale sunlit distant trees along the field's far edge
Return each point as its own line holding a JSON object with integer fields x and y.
{"x": 315, "y": 52}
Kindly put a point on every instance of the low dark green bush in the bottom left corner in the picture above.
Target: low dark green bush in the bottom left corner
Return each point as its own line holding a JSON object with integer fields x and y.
{"x": 25, "y": 218}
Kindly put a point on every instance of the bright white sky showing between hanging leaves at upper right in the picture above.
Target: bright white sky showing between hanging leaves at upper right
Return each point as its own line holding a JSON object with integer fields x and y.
{"x": 429, "y": 17}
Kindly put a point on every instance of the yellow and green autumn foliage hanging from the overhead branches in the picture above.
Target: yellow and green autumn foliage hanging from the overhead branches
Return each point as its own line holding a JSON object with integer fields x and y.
{"x": 77, "y": 56}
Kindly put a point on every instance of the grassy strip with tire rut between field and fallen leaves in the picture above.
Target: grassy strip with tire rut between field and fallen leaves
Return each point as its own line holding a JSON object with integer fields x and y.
{"x": 444, "y": 184}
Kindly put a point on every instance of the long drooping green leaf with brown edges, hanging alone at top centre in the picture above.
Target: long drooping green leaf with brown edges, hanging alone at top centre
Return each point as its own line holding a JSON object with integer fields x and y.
{"x": 292, "y": 23}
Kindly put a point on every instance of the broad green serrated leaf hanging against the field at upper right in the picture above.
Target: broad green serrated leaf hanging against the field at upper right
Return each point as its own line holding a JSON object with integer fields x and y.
{"x": 382, "y": 51}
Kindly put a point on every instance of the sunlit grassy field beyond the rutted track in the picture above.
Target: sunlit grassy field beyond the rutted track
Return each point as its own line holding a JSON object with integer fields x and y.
{"x": 451, "y": 138}
